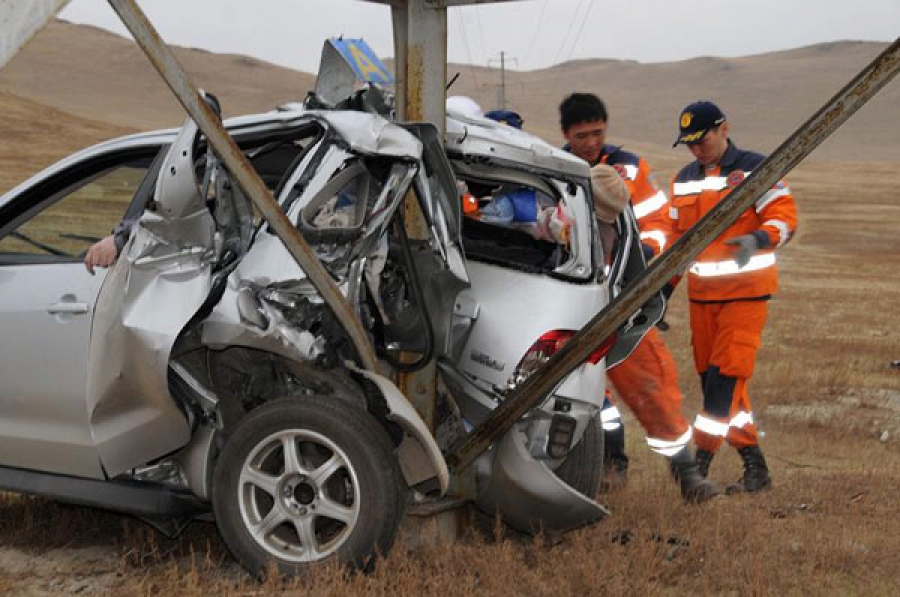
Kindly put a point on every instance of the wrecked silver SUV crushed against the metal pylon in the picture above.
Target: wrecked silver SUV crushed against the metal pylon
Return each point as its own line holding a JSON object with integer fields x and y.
{"x": 203, "y": 374}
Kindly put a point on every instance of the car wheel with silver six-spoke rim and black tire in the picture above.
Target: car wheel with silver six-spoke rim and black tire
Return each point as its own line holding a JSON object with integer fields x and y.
{"x": 337, "y": 494}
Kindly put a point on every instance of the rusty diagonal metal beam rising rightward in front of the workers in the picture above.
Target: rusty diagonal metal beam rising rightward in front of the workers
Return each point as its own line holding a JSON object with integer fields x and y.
{"x": 806, "y": 138}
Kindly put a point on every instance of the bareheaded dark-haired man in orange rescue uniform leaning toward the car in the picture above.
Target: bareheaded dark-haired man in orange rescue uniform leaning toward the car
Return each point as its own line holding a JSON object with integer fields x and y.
{"x": 647, "y": 380}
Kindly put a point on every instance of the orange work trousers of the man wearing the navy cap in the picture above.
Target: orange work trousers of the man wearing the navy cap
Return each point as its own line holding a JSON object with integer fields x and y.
{"x": 725, "y": 338}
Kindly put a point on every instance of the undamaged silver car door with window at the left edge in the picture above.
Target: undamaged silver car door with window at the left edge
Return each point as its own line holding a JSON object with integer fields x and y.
{"x": 47, "y": 300}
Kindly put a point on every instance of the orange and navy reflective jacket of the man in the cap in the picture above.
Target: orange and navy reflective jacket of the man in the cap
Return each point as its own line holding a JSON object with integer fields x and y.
{"x": 715, "y": 276}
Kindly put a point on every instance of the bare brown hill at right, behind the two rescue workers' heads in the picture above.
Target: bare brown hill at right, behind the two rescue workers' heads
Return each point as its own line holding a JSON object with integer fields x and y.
{"x": 765, "y": 96}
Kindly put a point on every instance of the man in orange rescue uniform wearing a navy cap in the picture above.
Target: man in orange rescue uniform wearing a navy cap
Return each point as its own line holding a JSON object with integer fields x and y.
{"x": 729, "y": 284}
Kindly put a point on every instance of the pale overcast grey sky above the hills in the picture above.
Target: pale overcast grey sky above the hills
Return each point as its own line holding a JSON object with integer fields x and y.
{"x": 533, "y": 33}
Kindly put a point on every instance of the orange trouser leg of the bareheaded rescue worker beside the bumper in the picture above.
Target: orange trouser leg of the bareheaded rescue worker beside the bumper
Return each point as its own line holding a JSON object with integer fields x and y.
{"x": 647, "y": 381}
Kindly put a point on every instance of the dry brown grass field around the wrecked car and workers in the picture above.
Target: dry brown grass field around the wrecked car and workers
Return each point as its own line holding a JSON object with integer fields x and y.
{"x": 824, "y": 395}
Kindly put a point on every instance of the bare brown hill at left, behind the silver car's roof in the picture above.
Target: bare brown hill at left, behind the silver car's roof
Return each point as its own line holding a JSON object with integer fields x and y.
{"x": 94, "y": 74}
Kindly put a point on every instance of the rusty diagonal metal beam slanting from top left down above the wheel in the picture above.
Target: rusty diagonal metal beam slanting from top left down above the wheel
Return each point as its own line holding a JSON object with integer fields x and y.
{"x": 240, "y": 168}
